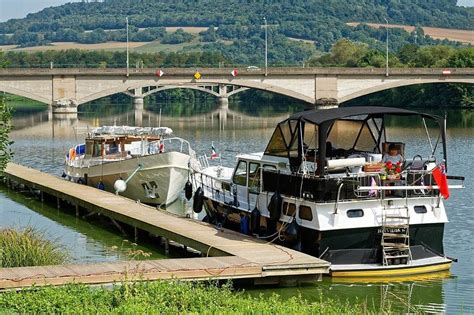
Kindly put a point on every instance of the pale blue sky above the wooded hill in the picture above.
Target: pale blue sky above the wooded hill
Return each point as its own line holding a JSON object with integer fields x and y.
{"x": 10, "y": 9}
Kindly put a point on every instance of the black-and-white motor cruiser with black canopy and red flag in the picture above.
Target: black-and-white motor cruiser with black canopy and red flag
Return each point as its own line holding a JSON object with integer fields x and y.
{"x": 320, "y": 187}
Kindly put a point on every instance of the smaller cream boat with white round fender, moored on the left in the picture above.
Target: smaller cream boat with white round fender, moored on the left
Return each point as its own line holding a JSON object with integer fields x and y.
{"x": 145, "y": 164}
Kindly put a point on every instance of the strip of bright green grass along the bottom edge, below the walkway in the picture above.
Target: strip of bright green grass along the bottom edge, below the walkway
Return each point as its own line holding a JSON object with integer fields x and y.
{"x": 163, "y": 298}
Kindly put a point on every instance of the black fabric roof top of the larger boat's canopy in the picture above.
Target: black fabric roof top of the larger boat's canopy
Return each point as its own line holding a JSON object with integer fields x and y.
{"x": 319, "y": 116}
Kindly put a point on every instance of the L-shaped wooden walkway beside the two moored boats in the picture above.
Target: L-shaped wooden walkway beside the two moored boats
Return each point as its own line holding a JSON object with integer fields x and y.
{"x": 249, "y": 257}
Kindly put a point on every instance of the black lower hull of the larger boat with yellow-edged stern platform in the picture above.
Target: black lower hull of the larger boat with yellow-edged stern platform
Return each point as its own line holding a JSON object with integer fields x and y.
{"x": 357, "y": 252}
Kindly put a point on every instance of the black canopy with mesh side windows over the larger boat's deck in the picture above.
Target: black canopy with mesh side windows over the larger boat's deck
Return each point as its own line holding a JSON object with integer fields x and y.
{"x": 320, "y": 134}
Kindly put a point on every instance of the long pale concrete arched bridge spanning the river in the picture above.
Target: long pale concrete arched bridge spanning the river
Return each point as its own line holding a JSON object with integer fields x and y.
{"x": 67, "y": 88}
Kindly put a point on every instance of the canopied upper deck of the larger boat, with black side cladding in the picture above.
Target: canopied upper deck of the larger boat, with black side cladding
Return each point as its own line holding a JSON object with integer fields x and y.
{"x": 324, "y": 148}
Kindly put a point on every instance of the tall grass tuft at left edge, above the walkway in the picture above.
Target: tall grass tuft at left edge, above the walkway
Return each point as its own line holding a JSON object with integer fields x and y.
{"x": 28, "y": 247}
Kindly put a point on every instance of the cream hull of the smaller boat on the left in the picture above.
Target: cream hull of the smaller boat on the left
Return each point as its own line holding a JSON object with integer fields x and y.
{"x": 160, "y": 179}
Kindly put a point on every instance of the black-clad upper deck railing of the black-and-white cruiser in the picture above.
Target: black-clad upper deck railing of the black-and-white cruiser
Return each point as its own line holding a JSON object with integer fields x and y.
{"x": 353, "y": 186}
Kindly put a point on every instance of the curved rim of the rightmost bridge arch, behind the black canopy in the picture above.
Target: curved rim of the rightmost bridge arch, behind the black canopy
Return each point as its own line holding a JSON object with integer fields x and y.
{"x": 396, "y": 84}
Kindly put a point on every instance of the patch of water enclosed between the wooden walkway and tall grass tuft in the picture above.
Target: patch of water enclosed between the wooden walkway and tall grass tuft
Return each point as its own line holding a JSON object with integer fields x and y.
{"x": 85, "y": 242}
